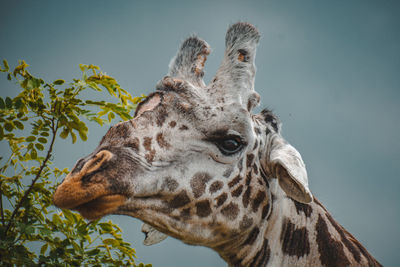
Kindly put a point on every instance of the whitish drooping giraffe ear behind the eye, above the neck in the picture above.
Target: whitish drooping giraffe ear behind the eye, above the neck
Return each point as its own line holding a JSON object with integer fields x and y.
{"x": 286, "y": 164}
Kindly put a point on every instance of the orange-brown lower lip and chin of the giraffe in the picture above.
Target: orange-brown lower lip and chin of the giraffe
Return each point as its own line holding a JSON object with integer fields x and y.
{"x": 101, "y": 206}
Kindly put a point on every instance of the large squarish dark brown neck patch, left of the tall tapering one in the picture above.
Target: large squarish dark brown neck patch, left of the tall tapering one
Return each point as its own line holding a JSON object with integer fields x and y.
{"x": 294, "y": 241}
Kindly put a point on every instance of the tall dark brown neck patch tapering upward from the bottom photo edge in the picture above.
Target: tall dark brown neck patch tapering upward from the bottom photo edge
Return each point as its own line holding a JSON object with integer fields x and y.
{"x": 331, "y": 251}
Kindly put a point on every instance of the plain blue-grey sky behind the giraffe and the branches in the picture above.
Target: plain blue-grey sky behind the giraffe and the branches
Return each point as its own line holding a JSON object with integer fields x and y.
{"x": 329, "y": 69}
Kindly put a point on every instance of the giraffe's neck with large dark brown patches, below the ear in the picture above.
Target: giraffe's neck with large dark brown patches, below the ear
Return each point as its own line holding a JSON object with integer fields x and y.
{"x": 296, "y": 234}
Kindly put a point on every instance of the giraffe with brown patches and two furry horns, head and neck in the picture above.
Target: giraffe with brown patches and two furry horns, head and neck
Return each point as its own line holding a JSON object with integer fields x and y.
{"x": 196, "y": 164}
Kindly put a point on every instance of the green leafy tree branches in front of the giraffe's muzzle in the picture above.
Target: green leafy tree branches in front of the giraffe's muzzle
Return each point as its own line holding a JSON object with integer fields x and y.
{"x": 30, "y": 123}
